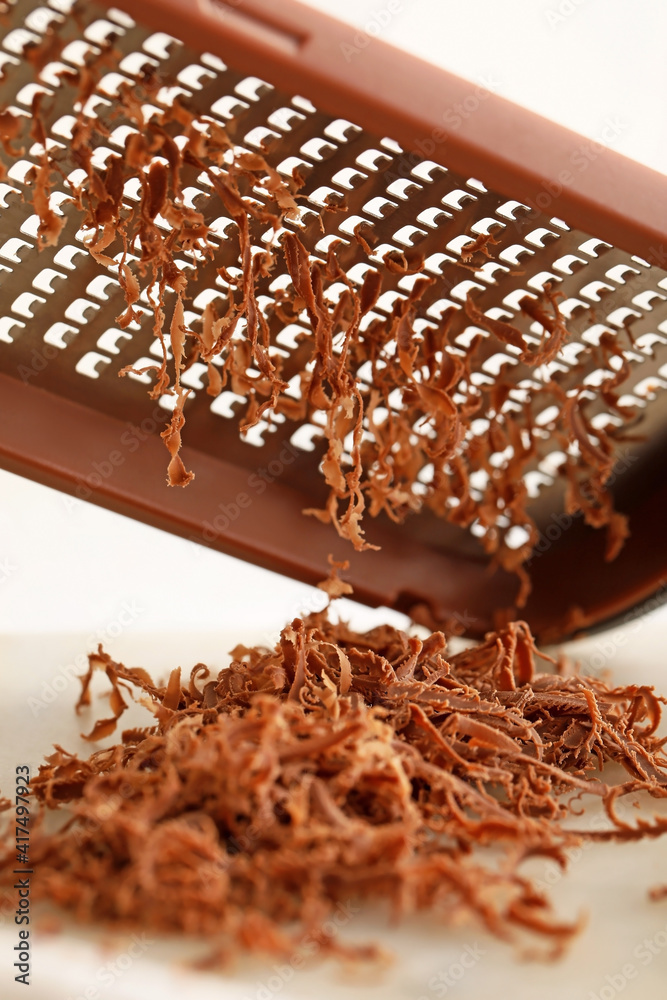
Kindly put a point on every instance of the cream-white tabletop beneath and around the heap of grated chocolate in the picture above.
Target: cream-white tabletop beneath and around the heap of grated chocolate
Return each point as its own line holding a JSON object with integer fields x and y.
{"x": 608, "y": 883}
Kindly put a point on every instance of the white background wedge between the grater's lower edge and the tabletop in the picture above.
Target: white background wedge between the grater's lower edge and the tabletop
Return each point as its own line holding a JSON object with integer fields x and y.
{"x": 66, "y": 565}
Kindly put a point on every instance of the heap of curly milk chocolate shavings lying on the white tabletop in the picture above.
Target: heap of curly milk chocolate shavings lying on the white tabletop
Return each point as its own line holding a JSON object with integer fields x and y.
{"x": 335, "y": 768}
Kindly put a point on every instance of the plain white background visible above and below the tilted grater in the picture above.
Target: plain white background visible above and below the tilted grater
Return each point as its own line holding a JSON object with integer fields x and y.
{"x": 72, "y": 567}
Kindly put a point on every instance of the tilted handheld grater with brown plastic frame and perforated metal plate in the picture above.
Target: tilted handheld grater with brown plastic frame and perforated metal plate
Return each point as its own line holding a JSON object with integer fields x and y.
{"x": 512, "y": 220}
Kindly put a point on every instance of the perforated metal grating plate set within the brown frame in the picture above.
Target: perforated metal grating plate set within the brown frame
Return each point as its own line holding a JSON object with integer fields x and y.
{"x": 58, "y": 327}
